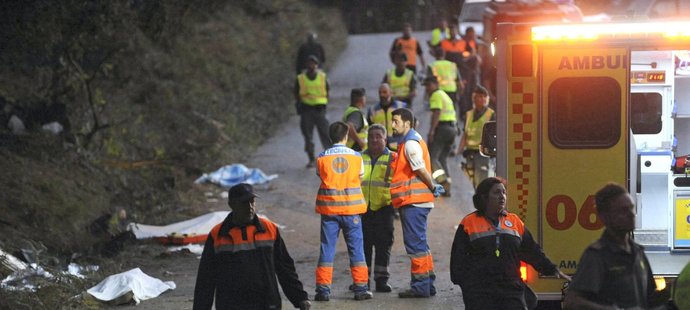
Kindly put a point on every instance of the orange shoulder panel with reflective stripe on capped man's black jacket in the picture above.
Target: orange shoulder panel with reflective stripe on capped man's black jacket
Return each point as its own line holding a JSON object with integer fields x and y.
{"x": 233, "y": 242}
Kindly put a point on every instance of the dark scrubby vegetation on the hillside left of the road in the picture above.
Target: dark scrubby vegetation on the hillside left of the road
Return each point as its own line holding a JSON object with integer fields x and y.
{"x": 152, "y": 94}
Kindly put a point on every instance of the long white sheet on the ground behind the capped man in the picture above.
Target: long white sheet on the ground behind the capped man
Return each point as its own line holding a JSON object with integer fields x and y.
{"x": 201, "y": 225}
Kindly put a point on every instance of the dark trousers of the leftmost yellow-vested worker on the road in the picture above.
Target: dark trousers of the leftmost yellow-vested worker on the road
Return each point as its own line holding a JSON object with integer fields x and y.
{"x": 311, "y": 117}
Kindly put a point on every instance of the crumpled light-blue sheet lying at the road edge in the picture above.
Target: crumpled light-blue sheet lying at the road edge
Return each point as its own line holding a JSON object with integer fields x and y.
{"x": 230, "y": 175}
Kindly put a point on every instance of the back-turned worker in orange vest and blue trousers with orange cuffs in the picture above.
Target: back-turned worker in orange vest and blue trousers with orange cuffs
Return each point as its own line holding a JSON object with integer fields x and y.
{"x": 340, "y": 202}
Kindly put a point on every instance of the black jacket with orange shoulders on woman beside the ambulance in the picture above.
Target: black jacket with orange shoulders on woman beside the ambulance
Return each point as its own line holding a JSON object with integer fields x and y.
{"x": 474, "y": 264}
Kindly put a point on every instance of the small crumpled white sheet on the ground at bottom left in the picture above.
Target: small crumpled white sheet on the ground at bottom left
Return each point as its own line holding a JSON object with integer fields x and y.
{"x": 140, "y": 284}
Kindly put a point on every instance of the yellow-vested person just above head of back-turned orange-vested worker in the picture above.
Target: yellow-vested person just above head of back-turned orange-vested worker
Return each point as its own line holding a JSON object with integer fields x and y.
{"x": 357, "y": 123}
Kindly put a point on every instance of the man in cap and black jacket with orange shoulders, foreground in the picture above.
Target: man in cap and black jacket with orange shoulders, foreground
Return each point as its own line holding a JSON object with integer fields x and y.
{"x": 241, "y": 259}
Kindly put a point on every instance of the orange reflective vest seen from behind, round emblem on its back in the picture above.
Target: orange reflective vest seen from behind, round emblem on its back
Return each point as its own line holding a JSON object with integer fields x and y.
{"x": 340, "y": 192}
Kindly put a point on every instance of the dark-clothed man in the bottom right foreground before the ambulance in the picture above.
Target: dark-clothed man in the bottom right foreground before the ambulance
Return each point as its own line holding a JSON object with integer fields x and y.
{"x": 613, "y": 272}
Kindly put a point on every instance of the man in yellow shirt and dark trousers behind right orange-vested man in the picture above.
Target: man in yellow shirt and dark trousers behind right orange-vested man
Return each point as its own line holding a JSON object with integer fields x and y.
{"x": 442, "y": 132}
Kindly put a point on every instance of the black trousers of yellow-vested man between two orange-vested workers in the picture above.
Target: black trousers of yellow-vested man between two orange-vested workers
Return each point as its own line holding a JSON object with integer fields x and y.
{"x": 377, "y": 227}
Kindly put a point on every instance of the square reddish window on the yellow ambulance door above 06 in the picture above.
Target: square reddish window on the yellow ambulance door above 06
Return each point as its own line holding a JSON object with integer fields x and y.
{"x": 584, "y": 112}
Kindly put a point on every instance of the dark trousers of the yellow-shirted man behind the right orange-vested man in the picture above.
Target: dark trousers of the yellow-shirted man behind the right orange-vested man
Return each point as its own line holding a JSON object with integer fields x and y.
{"x": 439, "y": 148}
